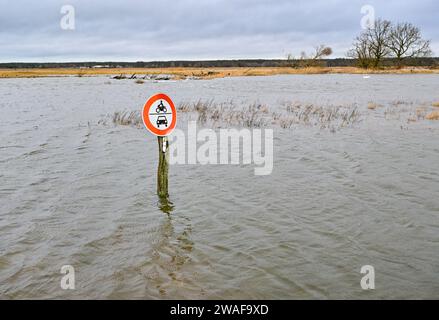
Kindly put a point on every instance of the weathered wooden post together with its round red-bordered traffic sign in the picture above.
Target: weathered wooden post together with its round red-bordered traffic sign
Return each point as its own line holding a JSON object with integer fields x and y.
{"x": 160, "y": 117}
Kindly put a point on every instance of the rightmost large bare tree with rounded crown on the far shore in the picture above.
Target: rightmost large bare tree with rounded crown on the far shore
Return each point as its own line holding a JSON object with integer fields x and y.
{"x": 405, "y": 41}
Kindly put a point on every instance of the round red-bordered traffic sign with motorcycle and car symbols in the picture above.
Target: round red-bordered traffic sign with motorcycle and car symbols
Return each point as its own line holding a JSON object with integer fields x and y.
{"x": 159, "y": 115}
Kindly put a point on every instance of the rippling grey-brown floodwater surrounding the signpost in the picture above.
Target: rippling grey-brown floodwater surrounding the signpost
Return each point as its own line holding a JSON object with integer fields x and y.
{"x": 78, "y": 189}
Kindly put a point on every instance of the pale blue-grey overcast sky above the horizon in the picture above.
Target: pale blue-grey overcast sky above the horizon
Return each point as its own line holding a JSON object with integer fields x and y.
{"x": 133, "y": 30}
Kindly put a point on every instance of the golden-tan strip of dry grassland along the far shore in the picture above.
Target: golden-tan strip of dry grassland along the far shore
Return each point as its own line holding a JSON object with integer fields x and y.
{"x": 201, "y": 73}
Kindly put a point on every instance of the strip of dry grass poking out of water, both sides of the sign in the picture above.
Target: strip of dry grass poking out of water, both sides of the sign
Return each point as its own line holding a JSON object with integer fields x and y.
{"x": 287, "y": 115}
